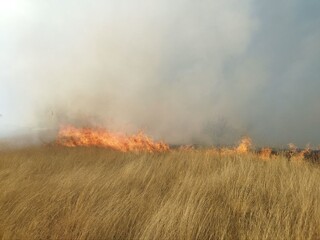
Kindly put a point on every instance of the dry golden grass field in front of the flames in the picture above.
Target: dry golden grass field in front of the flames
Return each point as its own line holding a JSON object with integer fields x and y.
{"x": 91, "y": 193}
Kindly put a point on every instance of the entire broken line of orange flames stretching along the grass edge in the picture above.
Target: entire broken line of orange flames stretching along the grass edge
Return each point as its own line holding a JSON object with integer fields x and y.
{"x": 71, "y": 136}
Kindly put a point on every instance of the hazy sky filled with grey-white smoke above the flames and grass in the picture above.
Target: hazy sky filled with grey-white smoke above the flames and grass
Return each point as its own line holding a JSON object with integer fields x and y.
{"x": 205, "y": 72}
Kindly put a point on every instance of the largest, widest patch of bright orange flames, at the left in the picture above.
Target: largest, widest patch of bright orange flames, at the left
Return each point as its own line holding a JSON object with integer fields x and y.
{"x": 71, "y": 136}
